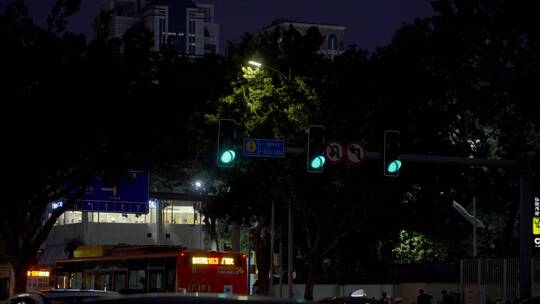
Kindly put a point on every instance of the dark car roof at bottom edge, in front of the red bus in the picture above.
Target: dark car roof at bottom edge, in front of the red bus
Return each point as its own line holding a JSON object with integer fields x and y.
{"x": 195, "y": 298}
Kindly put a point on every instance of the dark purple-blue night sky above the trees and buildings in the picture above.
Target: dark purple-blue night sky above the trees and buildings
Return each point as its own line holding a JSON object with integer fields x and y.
{"x": 370, "y": 23}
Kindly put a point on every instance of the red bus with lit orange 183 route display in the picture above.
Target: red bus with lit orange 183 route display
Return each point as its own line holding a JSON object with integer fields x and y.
{"x": 153, "y": 269}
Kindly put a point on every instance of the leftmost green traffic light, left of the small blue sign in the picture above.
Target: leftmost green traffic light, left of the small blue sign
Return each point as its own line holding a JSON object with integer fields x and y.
{"x": 226, "y": 154}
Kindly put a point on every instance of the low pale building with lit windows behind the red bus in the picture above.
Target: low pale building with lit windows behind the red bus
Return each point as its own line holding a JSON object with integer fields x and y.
{"x": 168, "y": 222}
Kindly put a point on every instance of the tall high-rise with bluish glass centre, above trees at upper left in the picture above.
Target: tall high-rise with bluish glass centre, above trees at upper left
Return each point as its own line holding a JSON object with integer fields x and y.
{"x": 189, "y": 26}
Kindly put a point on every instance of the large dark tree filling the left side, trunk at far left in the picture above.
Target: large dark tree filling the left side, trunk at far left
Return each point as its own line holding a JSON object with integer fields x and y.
{"x": 76, "y": 113}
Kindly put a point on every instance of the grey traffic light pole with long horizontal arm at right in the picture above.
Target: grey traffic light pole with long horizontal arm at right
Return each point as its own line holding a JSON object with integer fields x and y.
{"x": 525, "y": 204}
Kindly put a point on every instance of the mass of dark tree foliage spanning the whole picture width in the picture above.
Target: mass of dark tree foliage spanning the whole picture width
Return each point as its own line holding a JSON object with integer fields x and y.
{"x": 460, "y": 83}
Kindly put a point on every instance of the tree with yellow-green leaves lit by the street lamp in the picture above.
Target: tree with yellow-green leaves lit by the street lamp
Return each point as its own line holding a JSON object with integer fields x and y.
{"x": 263, "y": 109}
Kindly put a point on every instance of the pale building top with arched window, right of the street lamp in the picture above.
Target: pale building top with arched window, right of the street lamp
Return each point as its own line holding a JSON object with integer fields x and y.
{"x": 333, "y": 34}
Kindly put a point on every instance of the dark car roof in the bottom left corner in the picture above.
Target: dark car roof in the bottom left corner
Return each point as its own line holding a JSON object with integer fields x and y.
{"x": 59, "y": 296}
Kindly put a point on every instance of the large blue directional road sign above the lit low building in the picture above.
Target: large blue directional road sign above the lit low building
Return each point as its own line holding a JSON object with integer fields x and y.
{"x": 129, "y": 195}
